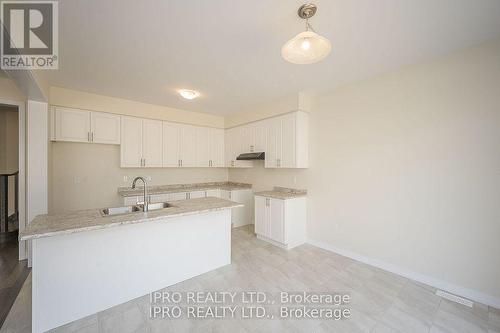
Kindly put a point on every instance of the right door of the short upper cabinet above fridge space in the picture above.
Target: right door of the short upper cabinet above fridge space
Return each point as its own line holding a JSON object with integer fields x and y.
{"x": 105, "y": 128}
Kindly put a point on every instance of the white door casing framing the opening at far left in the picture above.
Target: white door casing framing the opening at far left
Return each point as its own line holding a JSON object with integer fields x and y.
{"x": 22, "y": 167}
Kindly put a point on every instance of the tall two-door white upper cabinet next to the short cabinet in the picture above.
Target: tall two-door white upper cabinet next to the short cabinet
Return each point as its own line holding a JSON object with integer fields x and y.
{"x": 141, "y": 143}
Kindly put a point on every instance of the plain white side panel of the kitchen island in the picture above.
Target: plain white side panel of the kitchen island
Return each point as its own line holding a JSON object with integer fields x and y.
{"x": 76, "y": 275}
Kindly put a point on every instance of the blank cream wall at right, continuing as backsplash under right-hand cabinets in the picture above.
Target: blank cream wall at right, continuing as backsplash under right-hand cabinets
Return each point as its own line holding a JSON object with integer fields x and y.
{"x": 404, "y": 169}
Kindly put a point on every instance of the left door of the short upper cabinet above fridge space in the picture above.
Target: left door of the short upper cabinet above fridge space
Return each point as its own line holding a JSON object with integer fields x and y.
{"x": 72, "y": 125}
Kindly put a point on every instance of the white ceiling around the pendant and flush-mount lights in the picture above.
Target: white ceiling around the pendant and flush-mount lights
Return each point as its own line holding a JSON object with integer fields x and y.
{"x": 230, "y": 50}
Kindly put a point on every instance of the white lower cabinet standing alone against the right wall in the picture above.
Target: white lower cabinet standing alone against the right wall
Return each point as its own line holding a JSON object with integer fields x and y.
{"x": 281, "y": 222}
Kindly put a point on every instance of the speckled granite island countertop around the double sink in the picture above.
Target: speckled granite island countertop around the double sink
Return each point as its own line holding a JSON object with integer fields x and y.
{"x": 86, "y": 220}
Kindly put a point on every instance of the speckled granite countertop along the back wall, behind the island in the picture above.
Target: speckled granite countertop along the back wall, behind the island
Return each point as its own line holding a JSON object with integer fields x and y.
{"x": 162, "y": 189}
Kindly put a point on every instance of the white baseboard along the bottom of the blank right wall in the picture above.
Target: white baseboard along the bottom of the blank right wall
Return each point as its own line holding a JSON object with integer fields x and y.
{"x": 471, "y": 294}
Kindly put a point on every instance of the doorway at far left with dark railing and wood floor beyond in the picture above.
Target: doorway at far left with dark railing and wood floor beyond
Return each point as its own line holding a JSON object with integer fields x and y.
{"x": 13, "y": 272}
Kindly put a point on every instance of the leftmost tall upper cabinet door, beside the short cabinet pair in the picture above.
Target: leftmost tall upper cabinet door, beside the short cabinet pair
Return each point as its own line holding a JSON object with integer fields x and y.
{"x": 131, "y": 142}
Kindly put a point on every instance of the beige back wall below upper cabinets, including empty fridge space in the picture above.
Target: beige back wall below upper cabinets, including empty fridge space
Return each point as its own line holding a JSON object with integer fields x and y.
{"x": 88, "y": 175}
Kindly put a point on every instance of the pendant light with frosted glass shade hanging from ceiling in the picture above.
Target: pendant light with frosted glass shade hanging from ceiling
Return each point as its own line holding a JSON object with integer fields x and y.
{"x": 307, "y": 47}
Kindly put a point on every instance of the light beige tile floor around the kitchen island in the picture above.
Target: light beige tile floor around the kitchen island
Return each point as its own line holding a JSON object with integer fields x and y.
{"x": 380, "y": 301}
